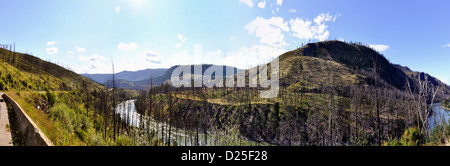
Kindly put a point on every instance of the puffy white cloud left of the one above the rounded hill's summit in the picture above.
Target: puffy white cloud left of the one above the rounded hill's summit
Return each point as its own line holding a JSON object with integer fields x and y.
{"x": 269, "y": 30}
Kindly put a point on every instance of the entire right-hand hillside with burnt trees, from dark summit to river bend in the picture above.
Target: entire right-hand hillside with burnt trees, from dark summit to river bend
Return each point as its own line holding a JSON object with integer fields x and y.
{"x": 331, "y": 93}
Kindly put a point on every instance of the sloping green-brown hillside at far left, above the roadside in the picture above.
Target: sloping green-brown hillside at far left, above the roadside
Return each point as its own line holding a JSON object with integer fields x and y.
{"x": 20, "y": 71}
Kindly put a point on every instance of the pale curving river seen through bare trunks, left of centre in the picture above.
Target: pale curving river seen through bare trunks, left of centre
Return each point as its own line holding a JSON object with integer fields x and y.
{"x": 179, "y": 135}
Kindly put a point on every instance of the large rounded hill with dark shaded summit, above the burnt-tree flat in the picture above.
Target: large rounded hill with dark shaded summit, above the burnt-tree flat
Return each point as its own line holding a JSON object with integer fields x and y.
{"x": 347, "y": 63}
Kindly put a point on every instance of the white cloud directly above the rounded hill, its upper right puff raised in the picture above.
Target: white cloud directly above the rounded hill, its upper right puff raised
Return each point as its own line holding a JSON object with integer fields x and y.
{"x": 305, "y": 29}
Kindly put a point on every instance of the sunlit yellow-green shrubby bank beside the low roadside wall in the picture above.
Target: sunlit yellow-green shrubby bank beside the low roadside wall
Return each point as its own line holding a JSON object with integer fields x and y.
{"x": 67, "y": 122}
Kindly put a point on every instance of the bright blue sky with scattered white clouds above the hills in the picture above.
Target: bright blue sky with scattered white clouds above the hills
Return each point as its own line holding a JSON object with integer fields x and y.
{"x": 138, "y": 34}
